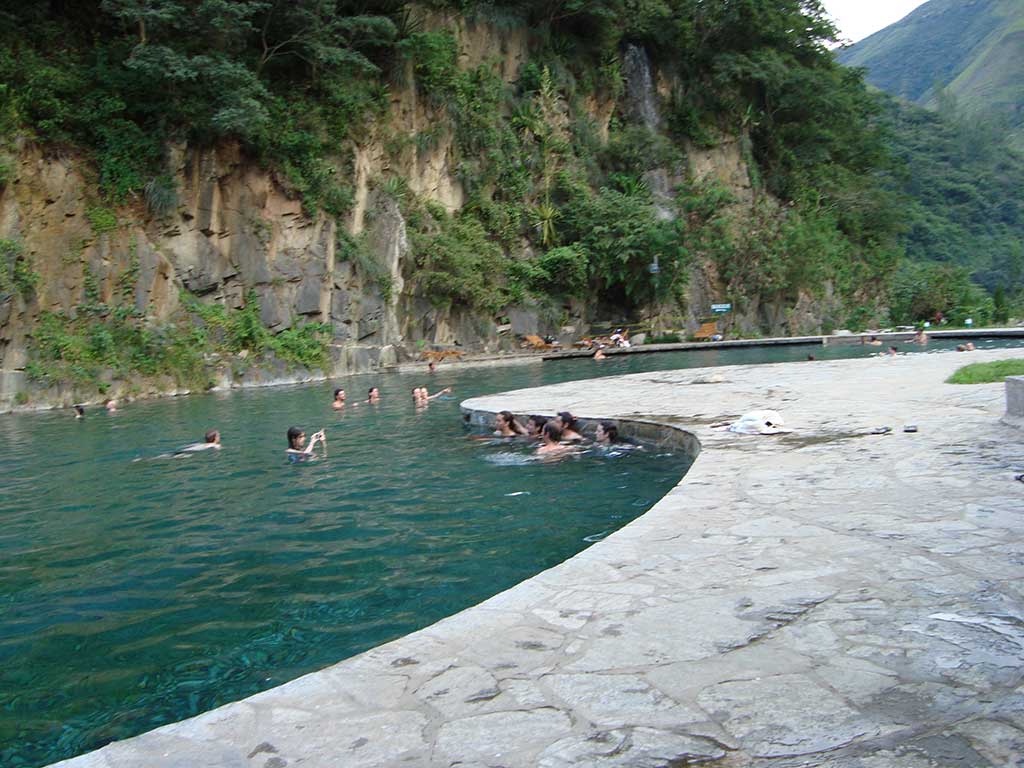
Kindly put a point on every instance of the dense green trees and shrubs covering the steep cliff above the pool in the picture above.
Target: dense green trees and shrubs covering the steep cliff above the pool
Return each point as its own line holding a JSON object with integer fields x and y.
{"x": 561, "y": 205}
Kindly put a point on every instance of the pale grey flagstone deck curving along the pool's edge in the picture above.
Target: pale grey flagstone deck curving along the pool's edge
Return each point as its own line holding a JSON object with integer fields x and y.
{"x": 825, "y": 599}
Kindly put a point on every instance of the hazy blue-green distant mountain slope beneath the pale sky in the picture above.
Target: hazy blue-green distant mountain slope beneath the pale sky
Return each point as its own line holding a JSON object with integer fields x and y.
{"x": 971, "y": 50}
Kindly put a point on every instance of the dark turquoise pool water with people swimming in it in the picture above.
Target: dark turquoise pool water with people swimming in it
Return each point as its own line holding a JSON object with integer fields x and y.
{"x": 137, "y": 593}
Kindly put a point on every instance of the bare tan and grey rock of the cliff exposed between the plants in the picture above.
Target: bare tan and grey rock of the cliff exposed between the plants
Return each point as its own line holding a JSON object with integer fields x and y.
{"x": 236, "y": 229}
